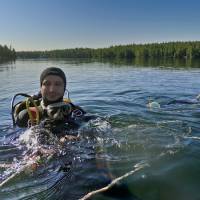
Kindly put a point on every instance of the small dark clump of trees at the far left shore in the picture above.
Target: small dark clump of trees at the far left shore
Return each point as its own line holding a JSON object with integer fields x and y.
{"x": 7, "y": 53}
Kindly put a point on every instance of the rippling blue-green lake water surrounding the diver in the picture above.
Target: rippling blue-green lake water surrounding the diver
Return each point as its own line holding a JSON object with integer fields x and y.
{"x": 164, "y": 141}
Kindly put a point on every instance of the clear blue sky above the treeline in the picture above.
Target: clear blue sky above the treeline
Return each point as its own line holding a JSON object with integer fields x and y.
{"x": 59, "y": 24}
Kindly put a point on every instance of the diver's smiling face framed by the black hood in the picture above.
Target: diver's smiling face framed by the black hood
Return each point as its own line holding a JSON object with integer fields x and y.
{"x": 52, "y": 88}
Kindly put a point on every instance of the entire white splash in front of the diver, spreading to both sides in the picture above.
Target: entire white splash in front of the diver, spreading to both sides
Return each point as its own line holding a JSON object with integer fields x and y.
{"x": 40, "y": 147}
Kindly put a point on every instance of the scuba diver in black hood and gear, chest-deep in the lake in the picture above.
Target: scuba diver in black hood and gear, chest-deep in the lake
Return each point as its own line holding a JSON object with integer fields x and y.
{"x": 49, "y": 105}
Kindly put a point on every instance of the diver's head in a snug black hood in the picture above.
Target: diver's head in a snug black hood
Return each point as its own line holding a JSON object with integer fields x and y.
{"x": 52, "y": 85}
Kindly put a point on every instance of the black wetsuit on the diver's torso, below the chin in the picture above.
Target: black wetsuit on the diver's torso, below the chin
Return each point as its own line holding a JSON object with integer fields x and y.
{"x": 59, "y": 116}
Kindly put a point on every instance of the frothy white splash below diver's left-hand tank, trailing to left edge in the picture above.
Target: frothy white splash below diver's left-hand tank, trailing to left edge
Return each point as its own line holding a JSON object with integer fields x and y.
{"x": 39, "y": 146}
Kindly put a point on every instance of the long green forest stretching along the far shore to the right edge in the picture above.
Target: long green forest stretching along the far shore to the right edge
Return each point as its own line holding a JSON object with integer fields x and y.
{"x": 186, "y": 50}
